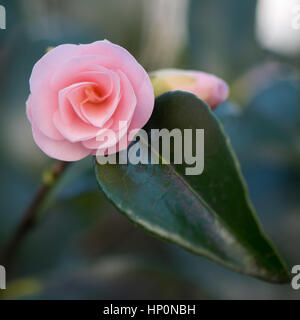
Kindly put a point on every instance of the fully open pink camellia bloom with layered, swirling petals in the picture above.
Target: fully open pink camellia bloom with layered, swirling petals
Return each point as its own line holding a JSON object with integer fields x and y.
{"x": 78, "y": 92}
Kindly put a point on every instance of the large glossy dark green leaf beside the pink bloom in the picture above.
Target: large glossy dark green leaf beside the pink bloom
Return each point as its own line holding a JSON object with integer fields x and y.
{"x": 208, "y": 214}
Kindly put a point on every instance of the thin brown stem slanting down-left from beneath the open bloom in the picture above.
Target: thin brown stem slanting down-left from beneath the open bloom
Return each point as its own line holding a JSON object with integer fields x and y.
{"x": 30, "y": 216}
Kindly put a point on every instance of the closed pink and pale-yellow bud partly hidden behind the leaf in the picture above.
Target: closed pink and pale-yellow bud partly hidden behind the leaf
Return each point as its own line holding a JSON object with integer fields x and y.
{"x": 205, "y": 86}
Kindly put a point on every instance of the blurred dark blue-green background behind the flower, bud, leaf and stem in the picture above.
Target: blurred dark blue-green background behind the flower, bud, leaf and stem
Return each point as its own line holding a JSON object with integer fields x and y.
{"x": 82, "y": 247}
